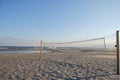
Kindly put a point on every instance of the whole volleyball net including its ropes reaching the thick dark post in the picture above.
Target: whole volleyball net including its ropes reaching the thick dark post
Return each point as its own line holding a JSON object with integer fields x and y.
{"x": 106, "y": 43}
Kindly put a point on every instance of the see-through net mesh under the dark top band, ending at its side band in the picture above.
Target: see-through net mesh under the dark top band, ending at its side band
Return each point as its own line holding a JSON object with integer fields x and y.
{"x": 91, "y": 44}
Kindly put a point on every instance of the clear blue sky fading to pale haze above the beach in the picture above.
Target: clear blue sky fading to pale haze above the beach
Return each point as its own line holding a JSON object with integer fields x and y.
{"x": 58, "y": 20}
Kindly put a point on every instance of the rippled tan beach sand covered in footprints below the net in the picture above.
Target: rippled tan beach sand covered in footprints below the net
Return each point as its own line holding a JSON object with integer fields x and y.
{"x": 59, "y": 66}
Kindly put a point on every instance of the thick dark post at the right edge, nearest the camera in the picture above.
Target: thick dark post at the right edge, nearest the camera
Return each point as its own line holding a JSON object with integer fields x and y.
{"x": 117, "y": 52}
